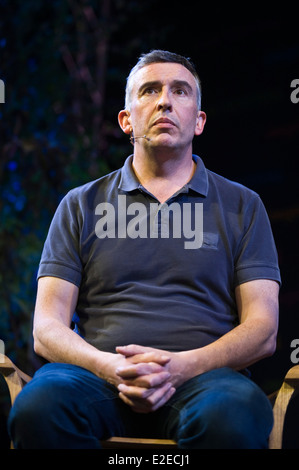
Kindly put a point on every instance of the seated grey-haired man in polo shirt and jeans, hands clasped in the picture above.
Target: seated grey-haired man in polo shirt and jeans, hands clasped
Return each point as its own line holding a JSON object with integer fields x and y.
{"x": 172, "y": 272}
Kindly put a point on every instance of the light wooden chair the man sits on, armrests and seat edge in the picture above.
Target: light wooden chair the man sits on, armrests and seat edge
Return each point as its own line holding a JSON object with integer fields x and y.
{"x": 16, "y": 380}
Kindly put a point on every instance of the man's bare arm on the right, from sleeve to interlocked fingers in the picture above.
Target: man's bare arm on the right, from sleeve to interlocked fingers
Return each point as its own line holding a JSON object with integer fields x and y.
{"x": 253, "y": 339}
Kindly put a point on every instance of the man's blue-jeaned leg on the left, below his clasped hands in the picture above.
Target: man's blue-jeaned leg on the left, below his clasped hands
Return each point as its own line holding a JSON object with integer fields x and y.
{"x": 66, "y": 406}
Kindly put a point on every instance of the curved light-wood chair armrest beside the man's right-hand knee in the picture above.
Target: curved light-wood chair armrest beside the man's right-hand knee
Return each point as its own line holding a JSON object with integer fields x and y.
{"x": 289, "y": 385}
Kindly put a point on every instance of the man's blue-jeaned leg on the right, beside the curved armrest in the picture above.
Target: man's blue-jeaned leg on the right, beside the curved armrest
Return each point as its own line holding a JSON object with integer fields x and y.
{"x": 219, "y": 409}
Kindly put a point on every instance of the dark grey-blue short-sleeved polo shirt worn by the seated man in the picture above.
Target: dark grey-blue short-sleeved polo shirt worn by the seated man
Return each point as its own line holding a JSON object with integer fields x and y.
{"x": 159, "y": 275}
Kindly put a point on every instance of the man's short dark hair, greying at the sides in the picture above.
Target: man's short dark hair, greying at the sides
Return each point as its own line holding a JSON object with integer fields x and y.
{"x": 159, "y": 56}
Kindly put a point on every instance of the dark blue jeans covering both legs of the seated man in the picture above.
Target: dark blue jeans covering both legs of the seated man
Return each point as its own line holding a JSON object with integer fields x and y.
{"x": 67, "y": 407}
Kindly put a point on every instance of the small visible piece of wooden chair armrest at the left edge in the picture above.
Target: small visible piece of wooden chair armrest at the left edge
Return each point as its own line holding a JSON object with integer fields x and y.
{"x": 14, "y": 377}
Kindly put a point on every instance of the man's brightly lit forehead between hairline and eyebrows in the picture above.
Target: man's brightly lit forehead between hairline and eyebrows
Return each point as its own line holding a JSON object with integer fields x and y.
{"x": 163, "y": 72}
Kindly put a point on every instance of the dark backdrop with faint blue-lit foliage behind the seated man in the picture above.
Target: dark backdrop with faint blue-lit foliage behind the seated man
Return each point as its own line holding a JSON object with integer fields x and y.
{"x": 65, "y": 63}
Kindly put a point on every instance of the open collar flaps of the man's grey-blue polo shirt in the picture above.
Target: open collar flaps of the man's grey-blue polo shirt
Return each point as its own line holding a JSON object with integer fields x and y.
{"x": 198, "y": 183}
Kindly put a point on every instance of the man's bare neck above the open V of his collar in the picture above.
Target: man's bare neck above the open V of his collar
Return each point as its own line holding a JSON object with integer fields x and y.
{"x": 163, "y": 175}
